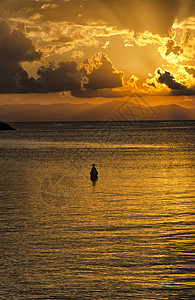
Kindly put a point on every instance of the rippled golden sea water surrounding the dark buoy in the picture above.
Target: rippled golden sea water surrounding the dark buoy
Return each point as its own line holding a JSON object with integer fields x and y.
{"x": 130, "y": 235}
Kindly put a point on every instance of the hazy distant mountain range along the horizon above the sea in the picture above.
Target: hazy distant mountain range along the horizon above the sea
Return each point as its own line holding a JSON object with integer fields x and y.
{"x": 115, "y": 110}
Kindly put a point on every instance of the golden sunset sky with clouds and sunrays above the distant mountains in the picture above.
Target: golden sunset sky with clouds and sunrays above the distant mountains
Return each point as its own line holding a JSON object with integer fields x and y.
{"x": 97, "y": 51}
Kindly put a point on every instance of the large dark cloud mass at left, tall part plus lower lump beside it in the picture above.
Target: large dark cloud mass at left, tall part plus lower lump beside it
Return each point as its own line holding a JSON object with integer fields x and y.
{"x": 16, "y": 48}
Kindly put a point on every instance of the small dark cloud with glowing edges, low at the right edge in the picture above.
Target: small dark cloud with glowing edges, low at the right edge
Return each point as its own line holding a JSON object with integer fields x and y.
{"x": 177, "y": 89}
